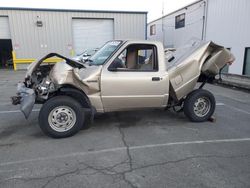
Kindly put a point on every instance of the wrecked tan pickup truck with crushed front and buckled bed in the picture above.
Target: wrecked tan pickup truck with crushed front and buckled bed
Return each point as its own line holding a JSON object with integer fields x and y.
{"x": 122, "y": 75}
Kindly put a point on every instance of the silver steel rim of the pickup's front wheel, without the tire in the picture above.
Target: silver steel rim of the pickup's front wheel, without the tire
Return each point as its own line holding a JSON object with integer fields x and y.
{"x": 62, "y": 118}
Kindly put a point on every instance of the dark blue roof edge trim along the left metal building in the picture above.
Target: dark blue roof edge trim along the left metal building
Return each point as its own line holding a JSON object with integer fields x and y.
{"x": 72, "y": 10}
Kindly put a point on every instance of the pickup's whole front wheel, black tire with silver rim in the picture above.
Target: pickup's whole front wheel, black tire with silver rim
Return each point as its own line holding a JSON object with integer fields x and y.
{"x": 48, "y": 120}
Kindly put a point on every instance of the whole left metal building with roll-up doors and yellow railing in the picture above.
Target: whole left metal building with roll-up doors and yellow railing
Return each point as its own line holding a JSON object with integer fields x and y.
{"x": 27, "y": 34}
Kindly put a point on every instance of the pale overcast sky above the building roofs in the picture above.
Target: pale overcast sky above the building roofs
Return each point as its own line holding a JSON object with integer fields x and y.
{"x": 153, "y": 7}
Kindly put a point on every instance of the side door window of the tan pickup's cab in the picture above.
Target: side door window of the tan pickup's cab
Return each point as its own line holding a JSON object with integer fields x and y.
{"x": 137, "y": 58}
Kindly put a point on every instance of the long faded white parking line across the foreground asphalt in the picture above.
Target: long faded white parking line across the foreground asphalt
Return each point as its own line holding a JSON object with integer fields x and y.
{"x": 118, "y": 149}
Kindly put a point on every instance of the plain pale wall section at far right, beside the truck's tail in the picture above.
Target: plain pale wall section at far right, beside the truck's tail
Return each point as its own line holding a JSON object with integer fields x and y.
{"x": 228, "y": 24}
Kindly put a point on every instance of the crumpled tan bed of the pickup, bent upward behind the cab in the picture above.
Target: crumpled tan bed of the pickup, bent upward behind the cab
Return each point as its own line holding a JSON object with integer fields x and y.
{"x": 185, "y": 65}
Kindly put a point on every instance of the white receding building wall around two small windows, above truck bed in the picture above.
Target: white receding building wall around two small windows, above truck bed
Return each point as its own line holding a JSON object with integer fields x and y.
{"x": 176, "y": 37}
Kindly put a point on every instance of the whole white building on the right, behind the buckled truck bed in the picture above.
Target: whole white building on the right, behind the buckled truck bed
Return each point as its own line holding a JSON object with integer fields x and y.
{"x": 225, "y": 22}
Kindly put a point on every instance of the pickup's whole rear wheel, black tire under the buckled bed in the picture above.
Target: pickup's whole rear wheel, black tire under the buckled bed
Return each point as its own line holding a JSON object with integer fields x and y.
{"x": 199, "y": 105}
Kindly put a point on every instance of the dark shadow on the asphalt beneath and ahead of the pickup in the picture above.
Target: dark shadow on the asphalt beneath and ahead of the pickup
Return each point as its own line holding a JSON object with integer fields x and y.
{"x": 125, "y": 119}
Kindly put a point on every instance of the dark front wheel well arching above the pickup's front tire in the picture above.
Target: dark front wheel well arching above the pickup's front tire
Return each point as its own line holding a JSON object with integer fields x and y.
{"x": 75, "y": 93}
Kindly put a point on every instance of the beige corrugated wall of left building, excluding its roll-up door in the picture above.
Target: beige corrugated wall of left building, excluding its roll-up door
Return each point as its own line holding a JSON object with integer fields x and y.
{"x": 30, "y": 41}
